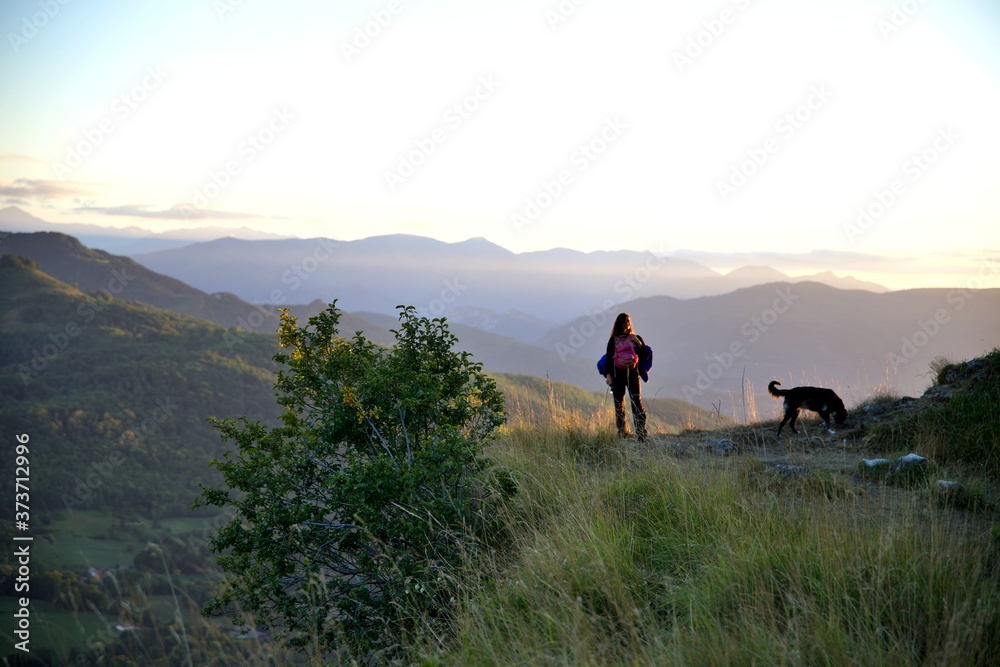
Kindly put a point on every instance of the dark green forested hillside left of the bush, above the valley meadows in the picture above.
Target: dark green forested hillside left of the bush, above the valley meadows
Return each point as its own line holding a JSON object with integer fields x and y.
{"x": 114, "y": 394}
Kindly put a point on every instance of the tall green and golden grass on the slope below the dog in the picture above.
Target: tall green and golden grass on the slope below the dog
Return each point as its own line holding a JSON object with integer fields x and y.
{"x": 613, "y": 555}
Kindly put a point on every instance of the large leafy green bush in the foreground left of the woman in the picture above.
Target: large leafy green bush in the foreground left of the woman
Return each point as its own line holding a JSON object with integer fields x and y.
{"x": 351, "y": 515}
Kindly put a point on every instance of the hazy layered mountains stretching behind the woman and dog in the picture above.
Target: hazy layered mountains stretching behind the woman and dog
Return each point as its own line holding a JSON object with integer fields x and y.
{"x": 547, "y": 314}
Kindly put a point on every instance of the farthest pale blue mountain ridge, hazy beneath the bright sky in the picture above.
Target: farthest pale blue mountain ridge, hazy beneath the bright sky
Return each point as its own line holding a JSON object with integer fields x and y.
{"x": 378, "y": 273}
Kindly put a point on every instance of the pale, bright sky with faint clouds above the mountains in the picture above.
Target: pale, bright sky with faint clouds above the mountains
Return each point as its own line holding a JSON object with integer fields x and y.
{"x": 725, "y": 131}
